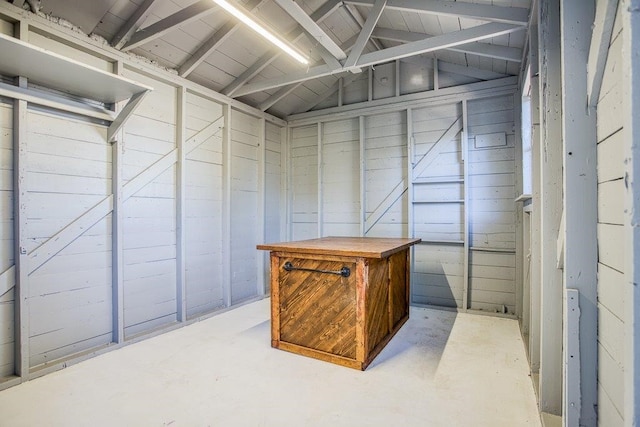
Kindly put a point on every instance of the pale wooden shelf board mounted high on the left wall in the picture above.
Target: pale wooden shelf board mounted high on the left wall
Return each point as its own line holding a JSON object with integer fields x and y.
{"x": 63, "y": 74}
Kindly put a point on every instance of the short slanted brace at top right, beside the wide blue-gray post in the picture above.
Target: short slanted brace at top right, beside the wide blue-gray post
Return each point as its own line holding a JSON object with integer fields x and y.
{"x": 605, "y": 17}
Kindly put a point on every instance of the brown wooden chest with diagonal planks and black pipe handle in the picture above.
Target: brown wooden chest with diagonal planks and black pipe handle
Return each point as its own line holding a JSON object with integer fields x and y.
{"x": 339, "y": 299}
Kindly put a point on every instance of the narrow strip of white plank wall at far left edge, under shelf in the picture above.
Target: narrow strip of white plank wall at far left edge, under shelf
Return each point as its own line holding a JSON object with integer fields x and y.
{"x": 6, "y": 241}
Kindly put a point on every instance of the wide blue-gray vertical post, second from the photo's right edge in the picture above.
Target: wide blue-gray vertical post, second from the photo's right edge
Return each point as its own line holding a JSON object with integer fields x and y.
{"x": 580, "y": 208}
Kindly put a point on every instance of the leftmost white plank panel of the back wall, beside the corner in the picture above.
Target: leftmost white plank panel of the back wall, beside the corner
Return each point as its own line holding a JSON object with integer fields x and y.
{"x": 304, "y": 182}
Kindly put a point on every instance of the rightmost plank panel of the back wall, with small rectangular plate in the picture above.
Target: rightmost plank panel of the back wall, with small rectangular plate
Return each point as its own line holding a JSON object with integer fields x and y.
{"x": 492, "y": 191}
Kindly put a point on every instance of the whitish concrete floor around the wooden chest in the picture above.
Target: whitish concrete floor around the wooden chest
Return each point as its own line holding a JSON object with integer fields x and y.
{"x": 441, "y": 369}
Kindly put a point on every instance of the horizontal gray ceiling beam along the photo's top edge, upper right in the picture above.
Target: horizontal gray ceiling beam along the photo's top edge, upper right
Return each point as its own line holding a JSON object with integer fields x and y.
{"x": 458, "y": 9}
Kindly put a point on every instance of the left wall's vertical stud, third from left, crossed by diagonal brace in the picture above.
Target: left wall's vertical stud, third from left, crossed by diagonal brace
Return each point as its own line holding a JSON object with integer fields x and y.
{"x": 181, "y": 297}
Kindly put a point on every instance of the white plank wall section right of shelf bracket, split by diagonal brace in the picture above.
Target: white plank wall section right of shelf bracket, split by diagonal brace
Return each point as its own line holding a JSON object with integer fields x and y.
{"x": 149, "y": 223}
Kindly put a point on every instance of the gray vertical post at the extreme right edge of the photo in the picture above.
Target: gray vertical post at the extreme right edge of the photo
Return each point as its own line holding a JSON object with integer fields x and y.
{"x": 631, "y": 110}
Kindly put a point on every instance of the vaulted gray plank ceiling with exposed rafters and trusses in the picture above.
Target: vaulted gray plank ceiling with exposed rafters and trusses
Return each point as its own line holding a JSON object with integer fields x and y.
{"x": 475, "y": 39}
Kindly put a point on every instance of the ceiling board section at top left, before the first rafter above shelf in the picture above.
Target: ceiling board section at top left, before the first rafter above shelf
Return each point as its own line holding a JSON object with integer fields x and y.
{"x": 82, "y": 13}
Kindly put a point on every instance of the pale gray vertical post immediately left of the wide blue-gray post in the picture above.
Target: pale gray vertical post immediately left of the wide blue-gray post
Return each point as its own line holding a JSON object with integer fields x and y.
{"x": 550, "y": 390}
